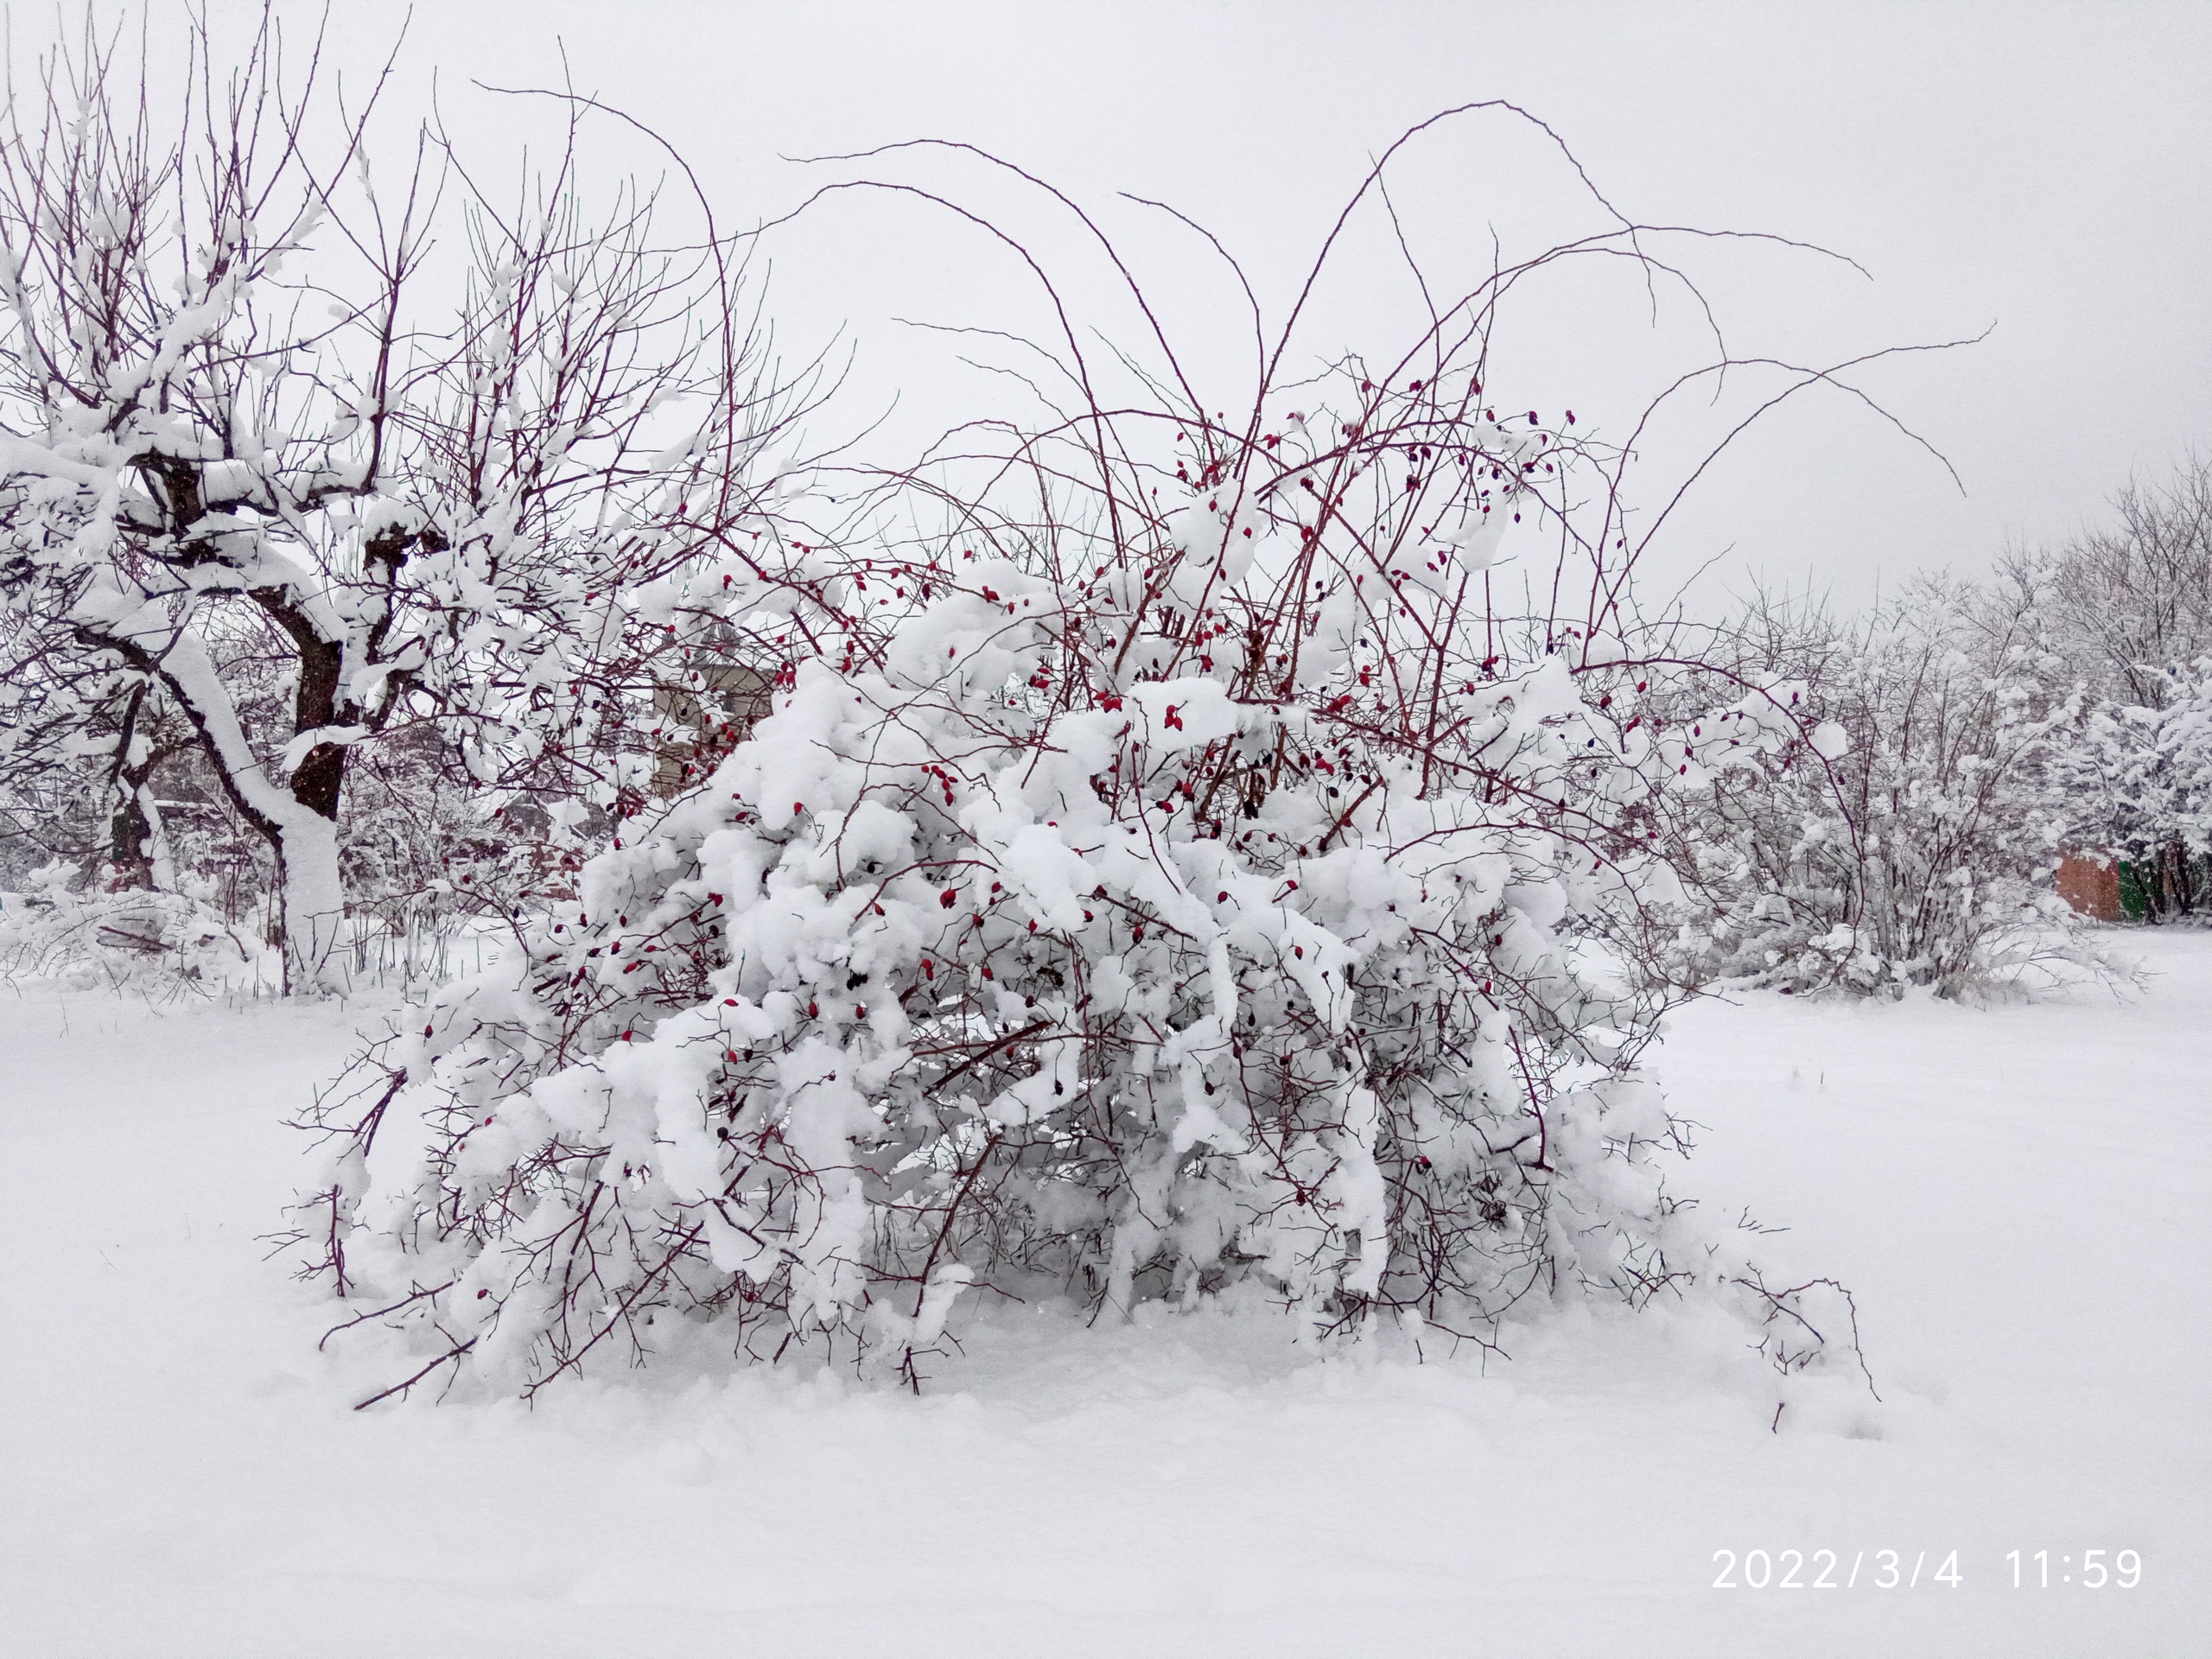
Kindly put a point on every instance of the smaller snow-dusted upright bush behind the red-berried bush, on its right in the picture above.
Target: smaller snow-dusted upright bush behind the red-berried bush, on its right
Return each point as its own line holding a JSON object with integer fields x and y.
{"x": 1912, "y": 835}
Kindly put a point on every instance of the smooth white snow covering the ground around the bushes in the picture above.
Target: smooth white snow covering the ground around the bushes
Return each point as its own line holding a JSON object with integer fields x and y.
{"x": 2021, "y": 1198}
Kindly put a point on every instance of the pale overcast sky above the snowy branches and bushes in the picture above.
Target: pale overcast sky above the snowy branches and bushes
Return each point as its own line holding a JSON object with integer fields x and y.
{"x": 2036, "y": 171}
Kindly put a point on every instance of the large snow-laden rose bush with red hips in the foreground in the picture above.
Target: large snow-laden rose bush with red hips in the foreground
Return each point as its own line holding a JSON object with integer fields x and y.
{"x": 1182, "y": 877}
